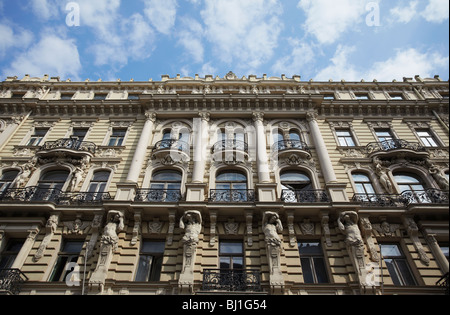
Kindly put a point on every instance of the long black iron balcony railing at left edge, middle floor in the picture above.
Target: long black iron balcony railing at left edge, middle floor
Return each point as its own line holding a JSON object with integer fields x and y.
{"x": 52, "y": 195}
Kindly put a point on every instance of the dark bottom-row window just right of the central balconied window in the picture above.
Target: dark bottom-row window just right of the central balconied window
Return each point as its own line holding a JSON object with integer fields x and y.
{"x": 313, "y": 262}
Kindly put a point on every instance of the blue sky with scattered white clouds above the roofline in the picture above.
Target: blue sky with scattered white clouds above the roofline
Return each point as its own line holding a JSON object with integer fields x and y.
{"x": 145, "y": 39}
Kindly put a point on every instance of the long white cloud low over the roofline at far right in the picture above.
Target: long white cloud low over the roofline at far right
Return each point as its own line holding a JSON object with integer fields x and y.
{"x": 405, "y": 63}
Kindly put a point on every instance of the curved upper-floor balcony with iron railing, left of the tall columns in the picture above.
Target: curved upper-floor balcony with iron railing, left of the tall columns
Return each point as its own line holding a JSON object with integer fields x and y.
{"x": 69, "y": 147}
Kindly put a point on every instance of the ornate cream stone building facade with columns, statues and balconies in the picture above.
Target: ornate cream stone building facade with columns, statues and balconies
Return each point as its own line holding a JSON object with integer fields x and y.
{"x": 223, "y": 185}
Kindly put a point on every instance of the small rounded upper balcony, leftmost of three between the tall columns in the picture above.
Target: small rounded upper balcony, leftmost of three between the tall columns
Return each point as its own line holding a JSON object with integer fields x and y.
{"x": 171, "y": 150}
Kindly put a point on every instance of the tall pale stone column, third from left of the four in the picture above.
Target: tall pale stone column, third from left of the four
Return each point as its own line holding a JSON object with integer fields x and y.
{"x": 261, "y": 149}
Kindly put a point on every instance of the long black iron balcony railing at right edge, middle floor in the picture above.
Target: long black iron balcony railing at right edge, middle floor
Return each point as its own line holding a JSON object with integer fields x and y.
{"x": 429, "y": 196}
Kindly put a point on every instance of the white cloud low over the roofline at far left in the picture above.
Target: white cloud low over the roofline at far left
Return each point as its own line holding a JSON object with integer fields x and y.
{"x": 52, "y": 55}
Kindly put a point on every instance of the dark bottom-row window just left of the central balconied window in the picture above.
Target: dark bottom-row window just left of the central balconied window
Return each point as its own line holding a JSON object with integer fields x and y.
{"x": 150, "y": 261}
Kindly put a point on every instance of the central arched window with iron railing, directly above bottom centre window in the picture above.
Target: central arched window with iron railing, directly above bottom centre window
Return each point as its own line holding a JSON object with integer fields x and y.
{"x": 231, "y": 186}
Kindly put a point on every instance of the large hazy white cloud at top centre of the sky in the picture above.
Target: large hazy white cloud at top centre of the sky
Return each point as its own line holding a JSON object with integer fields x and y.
{"x": 243, "y": 33}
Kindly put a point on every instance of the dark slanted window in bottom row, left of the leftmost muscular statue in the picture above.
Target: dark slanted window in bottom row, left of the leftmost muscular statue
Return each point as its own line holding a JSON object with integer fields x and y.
{"x": 70, "y": 251}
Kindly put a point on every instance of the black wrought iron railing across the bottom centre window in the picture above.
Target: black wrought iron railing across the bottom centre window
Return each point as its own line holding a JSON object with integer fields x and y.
{"x": 231, "y": 280}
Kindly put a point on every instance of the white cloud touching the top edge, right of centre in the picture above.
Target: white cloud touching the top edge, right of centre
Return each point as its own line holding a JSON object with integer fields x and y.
{"x": 327, "y": 20}
